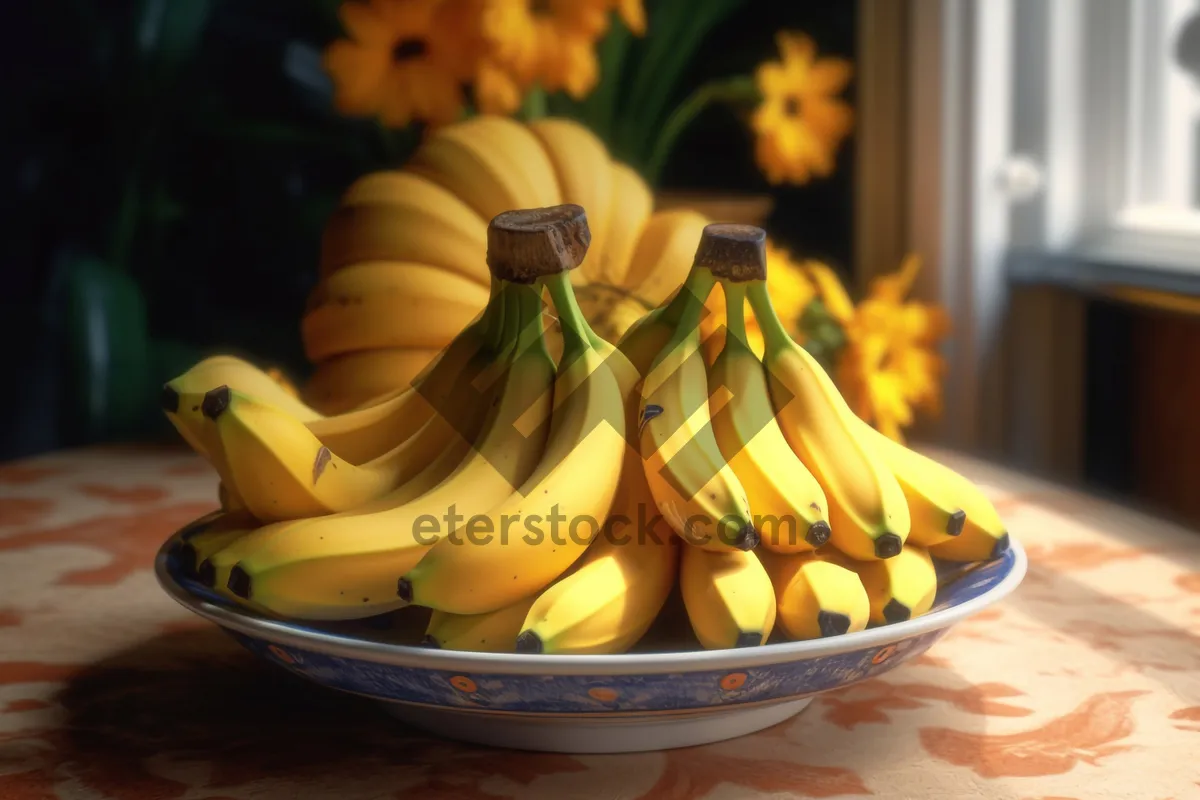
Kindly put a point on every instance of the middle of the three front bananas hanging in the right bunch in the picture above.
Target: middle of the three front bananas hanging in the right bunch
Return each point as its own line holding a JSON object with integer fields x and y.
{"x": 789, "y": 504}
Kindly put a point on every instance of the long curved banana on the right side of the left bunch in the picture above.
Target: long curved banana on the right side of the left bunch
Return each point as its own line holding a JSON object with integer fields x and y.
{"x": 575, "y": 483}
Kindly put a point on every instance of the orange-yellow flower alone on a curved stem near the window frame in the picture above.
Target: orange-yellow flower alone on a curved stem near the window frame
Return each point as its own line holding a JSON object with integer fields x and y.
{"x": 801, "y": 121}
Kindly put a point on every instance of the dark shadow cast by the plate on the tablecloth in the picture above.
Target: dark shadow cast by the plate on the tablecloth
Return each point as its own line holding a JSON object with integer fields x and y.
{"x": 191, "y": 709}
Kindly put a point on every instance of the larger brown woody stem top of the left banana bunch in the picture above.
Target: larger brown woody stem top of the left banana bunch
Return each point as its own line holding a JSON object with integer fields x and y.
{"x": 530, "y": 244}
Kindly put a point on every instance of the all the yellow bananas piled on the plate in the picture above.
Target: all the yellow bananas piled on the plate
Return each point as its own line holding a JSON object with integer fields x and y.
{"x": 543, "y": 503}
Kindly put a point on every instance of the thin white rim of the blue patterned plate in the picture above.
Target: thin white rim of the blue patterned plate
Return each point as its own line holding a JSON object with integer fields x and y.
{"x": 401, "y": 655}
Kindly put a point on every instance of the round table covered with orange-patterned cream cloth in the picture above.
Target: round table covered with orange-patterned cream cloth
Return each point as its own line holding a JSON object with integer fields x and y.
{"x": 1084, "y": 684}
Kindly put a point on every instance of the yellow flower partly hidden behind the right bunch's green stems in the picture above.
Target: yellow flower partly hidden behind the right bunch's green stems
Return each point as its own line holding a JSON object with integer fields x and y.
{"x": 791, "y": 292}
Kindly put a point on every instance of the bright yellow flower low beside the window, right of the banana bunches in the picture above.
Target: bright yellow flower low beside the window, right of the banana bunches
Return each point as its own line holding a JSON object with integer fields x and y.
{"x": 890, "y": 365}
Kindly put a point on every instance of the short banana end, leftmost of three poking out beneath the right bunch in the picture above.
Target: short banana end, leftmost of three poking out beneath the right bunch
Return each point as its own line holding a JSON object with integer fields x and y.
{"x": 729, "y": 596}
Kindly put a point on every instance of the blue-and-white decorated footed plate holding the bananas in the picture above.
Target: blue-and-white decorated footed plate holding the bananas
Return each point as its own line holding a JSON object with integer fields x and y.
{"x": 664, "y": 695}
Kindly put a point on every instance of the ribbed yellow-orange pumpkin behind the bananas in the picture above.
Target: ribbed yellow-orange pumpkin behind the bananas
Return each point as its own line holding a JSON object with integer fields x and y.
{"x": 403, "y": 263}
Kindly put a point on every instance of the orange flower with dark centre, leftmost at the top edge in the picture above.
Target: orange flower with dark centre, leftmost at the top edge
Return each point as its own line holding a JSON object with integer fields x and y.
{"x": 400, "y": 64}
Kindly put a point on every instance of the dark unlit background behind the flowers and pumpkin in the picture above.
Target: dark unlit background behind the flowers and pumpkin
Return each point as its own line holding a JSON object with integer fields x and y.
{"x": 209, "y": 141}
